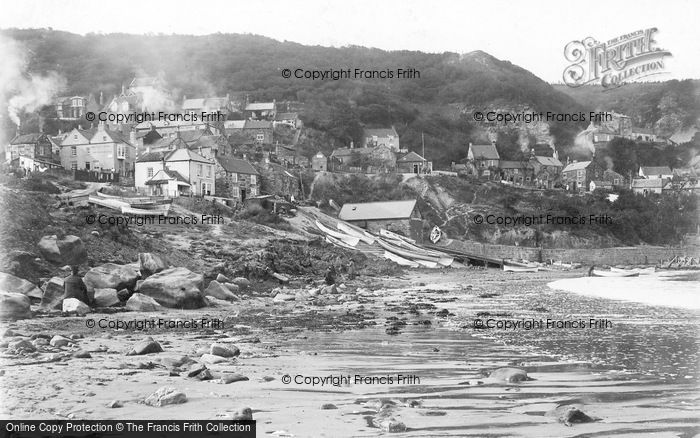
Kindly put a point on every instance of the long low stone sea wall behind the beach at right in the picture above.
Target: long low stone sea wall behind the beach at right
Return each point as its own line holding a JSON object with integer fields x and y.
{"x": 632, "y": 255}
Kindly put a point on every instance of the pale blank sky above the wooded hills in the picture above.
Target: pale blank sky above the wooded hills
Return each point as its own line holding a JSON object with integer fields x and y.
{"x": 529, "y": 34}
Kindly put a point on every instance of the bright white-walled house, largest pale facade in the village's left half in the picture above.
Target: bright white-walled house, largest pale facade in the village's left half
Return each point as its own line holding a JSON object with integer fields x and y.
{"x": 184, "y": 173}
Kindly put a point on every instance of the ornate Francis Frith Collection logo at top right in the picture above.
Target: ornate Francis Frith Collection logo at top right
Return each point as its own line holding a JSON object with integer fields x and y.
{"x": 613, "y": 63}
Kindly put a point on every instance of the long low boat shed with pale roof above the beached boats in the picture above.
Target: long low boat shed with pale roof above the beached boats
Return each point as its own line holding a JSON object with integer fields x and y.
{"x": 401, "y": 217}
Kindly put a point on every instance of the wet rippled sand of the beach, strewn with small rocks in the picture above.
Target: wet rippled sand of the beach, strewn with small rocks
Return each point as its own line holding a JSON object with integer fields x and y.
{"x": 639, "y": 378}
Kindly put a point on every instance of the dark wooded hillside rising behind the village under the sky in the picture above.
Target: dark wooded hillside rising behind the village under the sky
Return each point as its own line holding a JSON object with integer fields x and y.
{"x": 438, "y": 104}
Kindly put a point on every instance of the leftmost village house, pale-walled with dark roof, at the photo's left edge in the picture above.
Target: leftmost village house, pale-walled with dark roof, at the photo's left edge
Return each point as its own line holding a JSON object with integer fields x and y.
{"x": 32, "y": 152}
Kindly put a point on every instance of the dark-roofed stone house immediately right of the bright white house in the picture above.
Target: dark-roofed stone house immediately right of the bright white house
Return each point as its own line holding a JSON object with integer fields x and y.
{"x": 236, "y": 178}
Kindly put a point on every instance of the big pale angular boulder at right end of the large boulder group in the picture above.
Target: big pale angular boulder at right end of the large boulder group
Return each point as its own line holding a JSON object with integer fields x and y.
{"x": 176, "y": 288}
